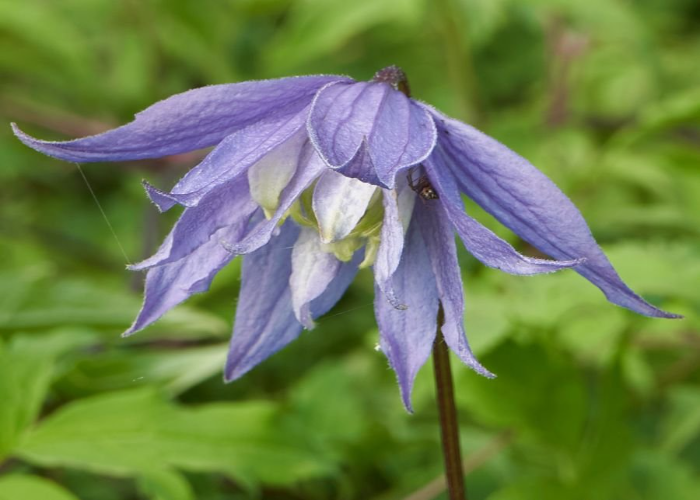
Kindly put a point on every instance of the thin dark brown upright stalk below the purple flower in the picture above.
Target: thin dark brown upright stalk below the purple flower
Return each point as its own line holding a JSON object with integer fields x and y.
{"x": 447, "y": 411}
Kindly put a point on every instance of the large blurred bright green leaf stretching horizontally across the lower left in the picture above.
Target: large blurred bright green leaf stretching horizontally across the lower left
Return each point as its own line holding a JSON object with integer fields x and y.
{"x": 128, "y": 432}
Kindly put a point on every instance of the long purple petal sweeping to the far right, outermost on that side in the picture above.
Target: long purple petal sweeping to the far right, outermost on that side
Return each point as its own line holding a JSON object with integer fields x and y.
{"x": 526, "y": 201}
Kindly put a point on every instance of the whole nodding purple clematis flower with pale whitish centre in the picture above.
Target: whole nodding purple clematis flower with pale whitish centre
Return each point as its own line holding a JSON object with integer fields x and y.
{"x": 312, "y": 178}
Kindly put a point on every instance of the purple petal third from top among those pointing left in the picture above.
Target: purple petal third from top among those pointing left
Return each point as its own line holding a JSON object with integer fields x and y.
{"x": 228, "y": 205}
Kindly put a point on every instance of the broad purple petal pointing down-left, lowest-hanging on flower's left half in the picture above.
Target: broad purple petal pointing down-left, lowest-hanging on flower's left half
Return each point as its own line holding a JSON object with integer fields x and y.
{"x": 265, "y": 321}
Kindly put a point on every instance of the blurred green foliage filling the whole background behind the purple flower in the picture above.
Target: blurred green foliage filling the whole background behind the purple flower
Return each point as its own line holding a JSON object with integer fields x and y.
{"x": 591, "y": 400}
